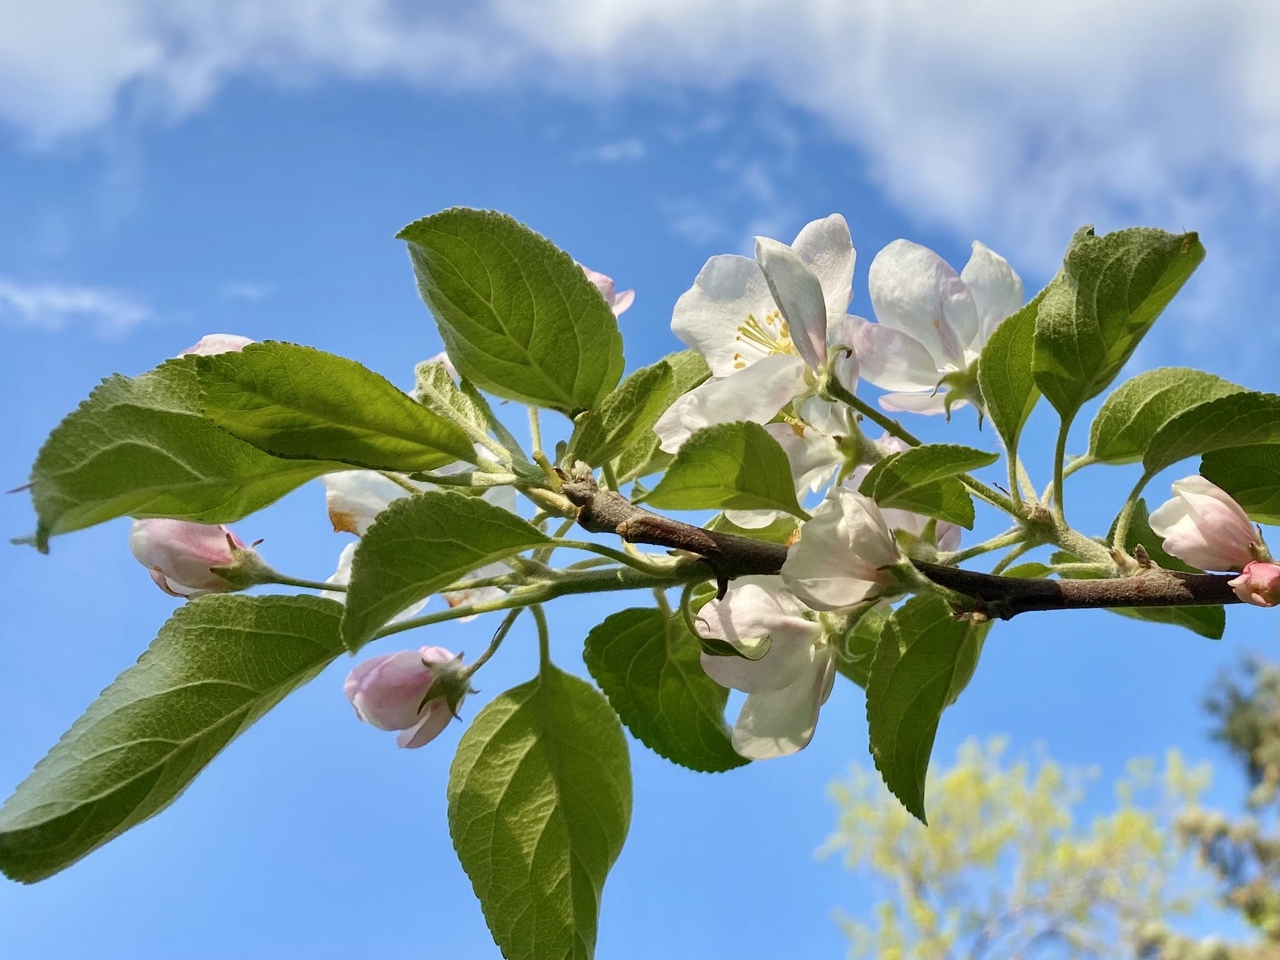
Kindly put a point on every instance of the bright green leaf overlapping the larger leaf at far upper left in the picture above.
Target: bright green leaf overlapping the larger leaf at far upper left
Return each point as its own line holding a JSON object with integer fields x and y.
{"x": 296, "y": 401}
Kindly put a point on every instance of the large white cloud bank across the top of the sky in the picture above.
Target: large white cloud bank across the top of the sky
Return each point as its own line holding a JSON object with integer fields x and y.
{"x": 1009, "y": 120}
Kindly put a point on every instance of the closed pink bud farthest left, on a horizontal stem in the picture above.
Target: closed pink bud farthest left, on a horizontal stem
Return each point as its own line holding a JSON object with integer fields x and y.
{"x": 181, "y": 555}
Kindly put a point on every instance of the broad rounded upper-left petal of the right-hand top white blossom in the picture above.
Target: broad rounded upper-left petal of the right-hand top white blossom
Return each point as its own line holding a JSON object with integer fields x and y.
{"x": 917, "y": 292}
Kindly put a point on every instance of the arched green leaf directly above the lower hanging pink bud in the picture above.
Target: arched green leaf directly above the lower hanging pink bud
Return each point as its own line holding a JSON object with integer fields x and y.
{"x": 422, "y": 545}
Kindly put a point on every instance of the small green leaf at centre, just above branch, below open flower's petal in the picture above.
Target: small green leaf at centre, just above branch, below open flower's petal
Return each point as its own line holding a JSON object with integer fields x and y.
{"x": 729, "y": 467}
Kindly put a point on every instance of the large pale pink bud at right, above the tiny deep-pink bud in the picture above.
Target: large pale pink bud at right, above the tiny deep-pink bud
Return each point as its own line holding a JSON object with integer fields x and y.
{"x": 1204, "y": 527}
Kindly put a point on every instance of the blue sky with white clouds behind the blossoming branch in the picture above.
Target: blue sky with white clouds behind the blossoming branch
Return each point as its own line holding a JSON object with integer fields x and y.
{"x": 167, "y": 173}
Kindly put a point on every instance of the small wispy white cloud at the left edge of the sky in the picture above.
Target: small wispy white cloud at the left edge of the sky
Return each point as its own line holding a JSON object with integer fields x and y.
{"x": 52, "y": 308}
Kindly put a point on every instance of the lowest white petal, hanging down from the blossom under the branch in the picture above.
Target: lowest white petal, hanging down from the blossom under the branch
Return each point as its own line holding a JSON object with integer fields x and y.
{"x": 780, "y": 723}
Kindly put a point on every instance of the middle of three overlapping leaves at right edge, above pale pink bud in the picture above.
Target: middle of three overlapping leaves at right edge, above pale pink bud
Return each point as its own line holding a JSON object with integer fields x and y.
{"x": 1240, "y": 420}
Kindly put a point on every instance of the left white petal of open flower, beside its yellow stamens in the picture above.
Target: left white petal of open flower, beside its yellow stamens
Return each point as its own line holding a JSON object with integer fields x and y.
{"x": 708, "y": 316}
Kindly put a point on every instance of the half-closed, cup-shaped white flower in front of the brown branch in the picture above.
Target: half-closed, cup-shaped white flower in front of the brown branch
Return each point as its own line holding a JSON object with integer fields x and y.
{"x": 844, "y": 556}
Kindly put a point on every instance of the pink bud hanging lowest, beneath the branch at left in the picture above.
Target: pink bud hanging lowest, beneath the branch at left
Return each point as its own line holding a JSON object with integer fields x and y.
{"x": 387, "y": 693}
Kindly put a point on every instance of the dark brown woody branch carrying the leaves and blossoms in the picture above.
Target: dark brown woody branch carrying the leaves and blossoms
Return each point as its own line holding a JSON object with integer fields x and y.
{"x": 996, "y": 597}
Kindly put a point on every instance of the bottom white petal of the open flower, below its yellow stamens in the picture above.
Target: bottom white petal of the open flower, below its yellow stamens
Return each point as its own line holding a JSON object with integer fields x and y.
{"x": 756, "y": 394}
